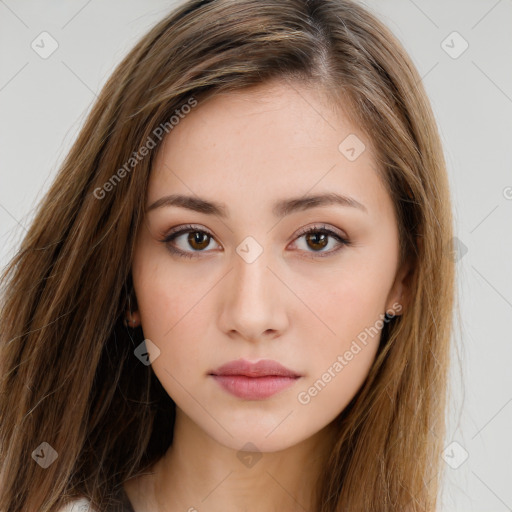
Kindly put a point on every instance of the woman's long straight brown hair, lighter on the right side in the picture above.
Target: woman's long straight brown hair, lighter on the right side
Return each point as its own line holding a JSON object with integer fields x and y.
{"x": 69, "y": 374}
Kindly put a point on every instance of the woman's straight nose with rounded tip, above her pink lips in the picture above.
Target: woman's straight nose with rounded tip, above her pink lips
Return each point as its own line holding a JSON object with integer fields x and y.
{"x": 253, "y": 301}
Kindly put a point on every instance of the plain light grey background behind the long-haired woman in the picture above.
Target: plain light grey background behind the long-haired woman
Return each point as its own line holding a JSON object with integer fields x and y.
{"x": 43, "y": 102}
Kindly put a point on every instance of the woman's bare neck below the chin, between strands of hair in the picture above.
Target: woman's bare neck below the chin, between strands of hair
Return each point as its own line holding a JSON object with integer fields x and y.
{"x": 198, "y": 473}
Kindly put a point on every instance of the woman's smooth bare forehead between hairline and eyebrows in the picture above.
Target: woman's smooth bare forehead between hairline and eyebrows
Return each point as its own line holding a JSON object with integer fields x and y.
{"x": 263, "y": 143}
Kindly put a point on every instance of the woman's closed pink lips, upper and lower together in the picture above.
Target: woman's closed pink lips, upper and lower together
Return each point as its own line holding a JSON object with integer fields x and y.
{"x": 254, "y": 381}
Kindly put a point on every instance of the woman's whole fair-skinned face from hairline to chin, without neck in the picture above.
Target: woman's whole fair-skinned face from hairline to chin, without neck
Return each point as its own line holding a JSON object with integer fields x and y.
{"x": 241, "y": 278}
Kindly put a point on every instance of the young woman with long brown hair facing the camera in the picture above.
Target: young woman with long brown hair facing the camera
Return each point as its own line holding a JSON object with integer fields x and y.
{"x": 237, "y": 294}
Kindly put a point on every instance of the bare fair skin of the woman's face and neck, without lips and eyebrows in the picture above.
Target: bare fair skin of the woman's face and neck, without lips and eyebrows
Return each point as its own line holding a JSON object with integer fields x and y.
{"x": 247, "y": 150}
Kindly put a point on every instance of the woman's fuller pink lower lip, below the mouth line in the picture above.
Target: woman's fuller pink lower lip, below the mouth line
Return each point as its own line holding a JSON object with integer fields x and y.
{"x": 254, "y": 388}
